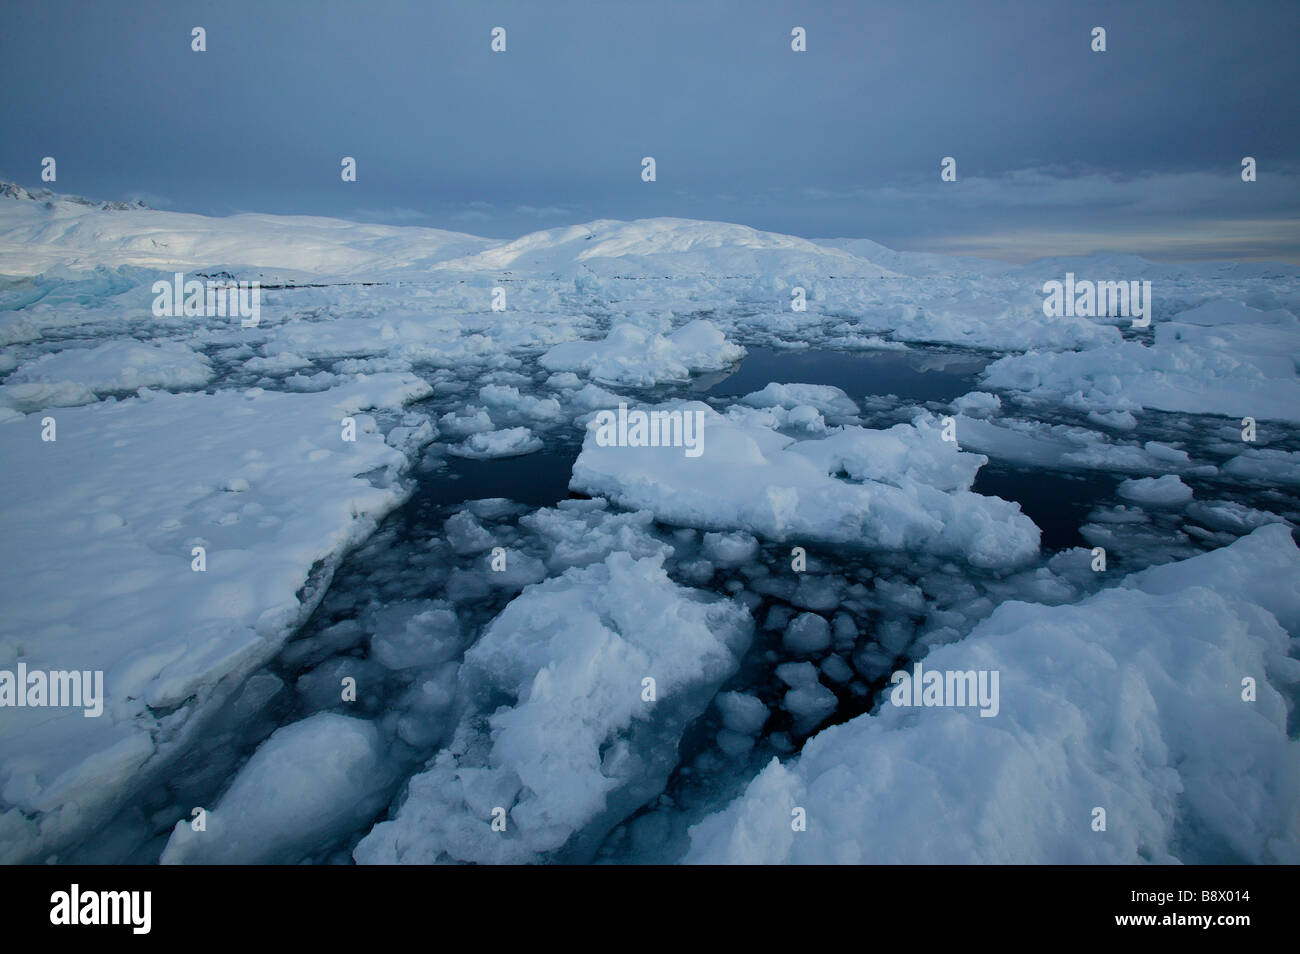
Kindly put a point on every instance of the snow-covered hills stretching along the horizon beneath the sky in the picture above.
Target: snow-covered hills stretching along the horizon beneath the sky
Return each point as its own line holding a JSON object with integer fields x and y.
{"x": 44, "y": 229}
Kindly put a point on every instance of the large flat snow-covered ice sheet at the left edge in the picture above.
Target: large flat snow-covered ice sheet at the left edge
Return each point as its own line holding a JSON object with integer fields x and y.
{"x": 98, "y": 539}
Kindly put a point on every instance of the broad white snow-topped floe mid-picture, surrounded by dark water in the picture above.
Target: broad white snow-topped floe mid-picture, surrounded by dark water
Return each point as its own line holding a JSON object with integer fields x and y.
{"x": 905, "y": 488}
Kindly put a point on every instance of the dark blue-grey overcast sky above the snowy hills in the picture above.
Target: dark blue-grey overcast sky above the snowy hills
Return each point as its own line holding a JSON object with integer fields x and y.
{"x": 1059, "y": 150}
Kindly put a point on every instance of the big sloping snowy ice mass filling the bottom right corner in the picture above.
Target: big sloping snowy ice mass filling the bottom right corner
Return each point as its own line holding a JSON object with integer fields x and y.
{"x": 1130, "y": 701}
